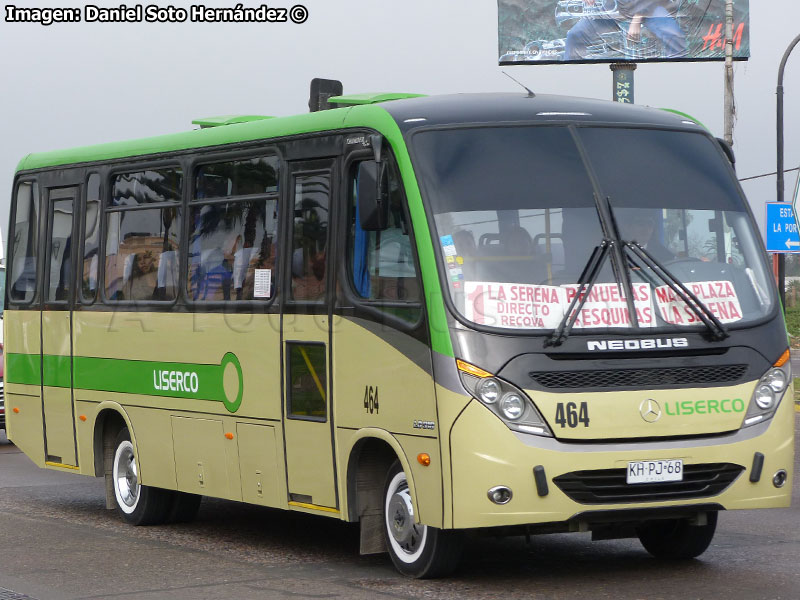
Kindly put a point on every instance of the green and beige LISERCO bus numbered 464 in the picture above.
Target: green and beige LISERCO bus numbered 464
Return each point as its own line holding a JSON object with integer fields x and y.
{"x": 497, "y": 313}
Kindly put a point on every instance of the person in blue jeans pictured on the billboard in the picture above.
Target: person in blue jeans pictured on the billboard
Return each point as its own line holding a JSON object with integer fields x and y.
{"x": 657, "y": 16}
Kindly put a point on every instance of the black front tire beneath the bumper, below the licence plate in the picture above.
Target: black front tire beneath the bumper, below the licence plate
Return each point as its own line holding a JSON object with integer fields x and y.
{"x": 677, "y": 539}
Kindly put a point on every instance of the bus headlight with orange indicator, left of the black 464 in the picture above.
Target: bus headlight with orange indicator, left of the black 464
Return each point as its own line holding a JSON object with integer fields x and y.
{"x": 504, "y": 399}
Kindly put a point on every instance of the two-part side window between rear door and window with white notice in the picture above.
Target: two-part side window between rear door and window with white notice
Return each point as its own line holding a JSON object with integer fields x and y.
{"x": 142, "y": 245}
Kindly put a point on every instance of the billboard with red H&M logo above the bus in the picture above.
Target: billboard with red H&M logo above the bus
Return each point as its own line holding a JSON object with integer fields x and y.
{"x": 585, "y": 31}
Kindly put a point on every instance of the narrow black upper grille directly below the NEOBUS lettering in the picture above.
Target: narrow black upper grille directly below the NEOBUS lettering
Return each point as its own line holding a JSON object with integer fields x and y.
{"x": 612, "y": 378}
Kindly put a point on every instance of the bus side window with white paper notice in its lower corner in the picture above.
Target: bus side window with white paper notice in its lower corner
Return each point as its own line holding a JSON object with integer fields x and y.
{"x": 233, "y": 242}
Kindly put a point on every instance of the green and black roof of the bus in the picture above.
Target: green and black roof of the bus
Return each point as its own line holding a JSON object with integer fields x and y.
{"x": 409, "y": 113}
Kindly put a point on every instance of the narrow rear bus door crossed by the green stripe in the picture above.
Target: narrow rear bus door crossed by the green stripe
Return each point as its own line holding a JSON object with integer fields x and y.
{"x": 59, "y": 416}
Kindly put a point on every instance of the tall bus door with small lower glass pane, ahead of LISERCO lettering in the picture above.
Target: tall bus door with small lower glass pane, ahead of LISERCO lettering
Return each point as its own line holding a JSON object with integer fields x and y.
{"x": 308, "y": 415}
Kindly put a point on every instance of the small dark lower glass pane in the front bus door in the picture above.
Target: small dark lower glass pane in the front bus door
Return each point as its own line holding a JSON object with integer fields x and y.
{"x": 307, "y": 383}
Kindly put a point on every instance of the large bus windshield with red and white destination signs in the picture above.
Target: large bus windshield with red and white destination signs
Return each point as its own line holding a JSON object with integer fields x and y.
{"x": 517, "y": 216}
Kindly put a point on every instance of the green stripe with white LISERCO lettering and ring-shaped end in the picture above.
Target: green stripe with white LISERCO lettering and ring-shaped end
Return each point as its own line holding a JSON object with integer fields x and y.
{"x": 146, "y": 378}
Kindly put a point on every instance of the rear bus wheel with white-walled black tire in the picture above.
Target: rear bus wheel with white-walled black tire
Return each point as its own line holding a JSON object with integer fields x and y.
{"x": 137, "y": 504}
